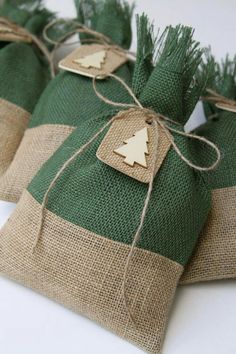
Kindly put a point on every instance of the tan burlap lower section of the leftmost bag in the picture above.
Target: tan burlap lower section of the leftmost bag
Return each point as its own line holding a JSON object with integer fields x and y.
{"x": 13, "y": 122}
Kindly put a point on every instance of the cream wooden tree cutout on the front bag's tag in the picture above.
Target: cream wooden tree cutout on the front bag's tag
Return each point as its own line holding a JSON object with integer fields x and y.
{"x": 135, "y": 149}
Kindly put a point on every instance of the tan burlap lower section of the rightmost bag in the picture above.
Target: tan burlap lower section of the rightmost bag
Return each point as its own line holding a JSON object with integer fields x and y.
{"x": 215, "y": 254}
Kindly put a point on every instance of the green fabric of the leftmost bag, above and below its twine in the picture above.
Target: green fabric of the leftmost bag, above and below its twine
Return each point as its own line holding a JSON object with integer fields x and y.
{"x": 24, "y": 73}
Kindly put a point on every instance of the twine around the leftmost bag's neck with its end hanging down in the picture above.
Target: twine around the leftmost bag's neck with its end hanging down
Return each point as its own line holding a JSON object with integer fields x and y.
{"x": 12, "y": 28}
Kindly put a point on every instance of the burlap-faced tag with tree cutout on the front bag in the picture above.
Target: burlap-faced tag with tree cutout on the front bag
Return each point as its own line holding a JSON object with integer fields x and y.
{"x": 129, "y": 146}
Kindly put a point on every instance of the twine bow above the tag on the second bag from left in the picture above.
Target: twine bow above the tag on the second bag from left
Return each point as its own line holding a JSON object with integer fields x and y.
{"x": 98, "y": 38}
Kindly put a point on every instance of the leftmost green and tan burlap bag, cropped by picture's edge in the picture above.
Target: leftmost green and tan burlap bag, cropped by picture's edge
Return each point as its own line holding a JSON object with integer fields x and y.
{"x": 24, "y": 72}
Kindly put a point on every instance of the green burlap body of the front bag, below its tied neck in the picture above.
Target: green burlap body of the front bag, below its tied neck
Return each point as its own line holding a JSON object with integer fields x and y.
{"x": 96, "y": 197}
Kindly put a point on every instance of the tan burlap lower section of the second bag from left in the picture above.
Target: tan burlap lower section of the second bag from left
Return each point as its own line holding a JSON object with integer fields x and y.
{"x": 34, "y": 150}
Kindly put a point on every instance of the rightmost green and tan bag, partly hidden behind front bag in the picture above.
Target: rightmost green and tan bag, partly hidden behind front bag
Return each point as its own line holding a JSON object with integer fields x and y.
{"x": 215, "y": 254}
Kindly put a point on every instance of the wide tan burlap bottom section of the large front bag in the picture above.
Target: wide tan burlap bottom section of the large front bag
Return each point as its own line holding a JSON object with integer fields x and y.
{"x": 84, "y": 272}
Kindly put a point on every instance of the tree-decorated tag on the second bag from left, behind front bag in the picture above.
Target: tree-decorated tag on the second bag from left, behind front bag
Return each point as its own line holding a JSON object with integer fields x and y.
{"x": 93, "y": 60}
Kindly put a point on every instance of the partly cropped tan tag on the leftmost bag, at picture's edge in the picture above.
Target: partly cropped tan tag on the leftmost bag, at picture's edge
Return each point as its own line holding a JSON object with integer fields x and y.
{"x": 16, "y": 34}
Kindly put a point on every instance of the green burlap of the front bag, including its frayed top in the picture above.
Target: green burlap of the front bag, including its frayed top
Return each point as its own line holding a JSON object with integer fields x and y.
{"x": 102, "y": 200}
